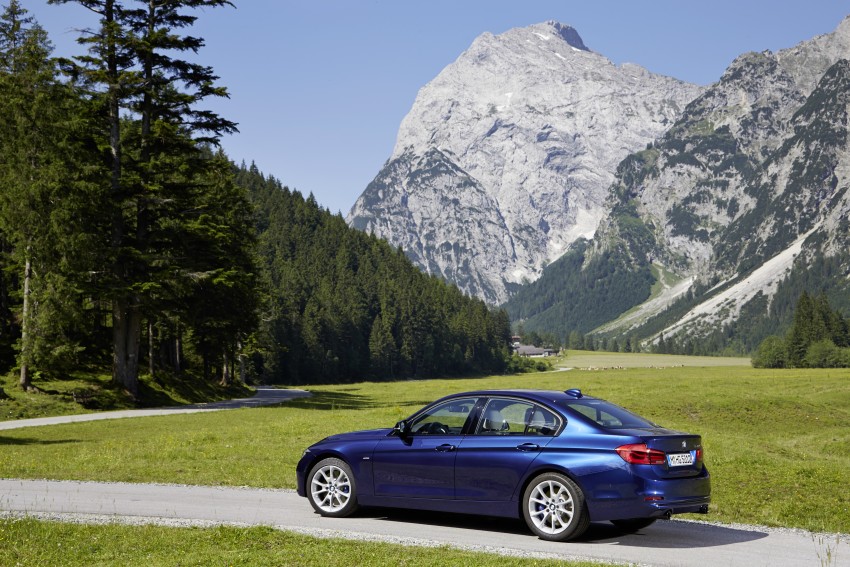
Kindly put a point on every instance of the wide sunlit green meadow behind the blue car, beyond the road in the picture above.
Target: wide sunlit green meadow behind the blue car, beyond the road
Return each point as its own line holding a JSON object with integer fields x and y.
{"x": 777, "y": 442}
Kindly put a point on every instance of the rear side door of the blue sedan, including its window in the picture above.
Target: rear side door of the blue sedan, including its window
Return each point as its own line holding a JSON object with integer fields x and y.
{"x": 510, "y": 434}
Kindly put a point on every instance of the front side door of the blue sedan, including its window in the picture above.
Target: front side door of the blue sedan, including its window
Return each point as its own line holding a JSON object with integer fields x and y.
{"x": 421, "y": 465}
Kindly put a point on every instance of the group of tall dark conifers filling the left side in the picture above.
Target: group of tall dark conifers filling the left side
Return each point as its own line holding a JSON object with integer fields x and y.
{"x": 124, "y": 241}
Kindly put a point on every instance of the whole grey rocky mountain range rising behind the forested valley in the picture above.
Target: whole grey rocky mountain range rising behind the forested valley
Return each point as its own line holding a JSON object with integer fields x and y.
{"x": 616, "y": 216}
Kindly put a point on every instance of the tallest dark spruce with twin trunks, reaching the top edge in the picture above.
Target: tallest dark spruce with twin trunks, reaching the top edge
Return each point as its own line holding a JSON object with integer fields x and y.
{"x": 148, "y": 99}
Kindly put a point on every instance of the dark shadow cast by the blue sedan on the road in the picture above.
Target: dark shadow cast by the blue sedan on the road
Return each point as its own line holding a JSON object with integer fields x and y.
{"x": 672, "y": 534}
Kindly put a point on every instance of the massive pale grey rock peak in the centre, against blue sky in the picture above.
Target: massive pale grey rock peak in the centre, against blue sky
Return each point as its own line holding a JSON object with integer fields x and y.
{"x": 507, "y": 156}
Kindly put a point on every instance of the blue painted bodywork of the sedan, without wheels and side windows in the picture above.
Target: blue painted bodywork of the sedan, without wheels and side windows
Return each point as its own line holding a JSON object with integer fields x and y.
{"x": 485, "y": 471}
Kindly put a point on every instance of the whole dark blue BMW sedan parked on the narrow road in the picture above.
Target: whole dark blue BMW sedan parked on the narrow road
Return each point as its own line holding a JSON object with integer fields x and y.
{"x": 557, "y": 459}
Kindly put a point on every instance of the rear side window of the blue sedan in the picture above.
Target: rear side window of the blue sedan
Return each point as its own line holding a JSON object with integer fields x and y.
{"x": 515, "y": 417}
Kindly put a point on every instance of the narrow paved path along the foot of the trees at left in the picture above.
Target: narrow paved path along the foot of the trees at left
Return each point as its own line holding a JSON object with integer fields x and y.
{"x": 263, "y": 397}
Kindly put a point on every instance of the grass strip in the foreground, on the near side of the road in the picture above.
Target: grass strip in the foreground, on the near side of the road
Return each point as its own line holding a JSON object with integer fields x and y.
{"x": 28, "y": 542}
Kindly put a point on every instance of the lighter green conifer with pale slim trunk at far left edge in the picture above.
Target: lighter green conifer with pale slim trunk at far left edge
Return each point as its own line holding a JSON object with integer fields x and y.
{"x": 40, "y": 199}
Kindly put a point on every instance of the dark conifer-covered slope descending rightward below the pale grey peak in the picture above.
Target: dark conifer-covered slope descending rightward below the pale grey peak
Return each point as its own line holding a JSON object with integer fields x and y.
{"x": 342, "y": 305}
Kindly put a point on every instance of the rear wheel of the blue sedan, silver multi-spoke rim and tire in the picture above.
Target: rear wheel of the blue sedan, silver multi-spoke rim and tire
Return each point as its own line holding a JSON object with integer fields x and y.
{"x": 554, "y": 509}
